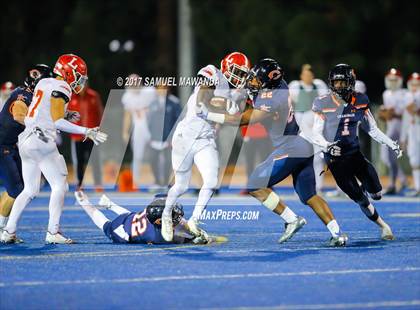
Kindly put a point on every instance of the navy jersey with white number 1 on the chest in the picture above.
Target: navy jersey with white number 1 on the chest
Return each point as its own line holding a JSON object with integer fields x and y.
{"x": 342, "y": 120}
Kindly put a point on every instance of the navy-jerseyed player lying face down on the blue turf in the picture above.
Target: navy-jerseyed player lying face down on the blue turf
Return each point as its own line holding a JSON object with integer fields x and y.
{"x": 140, "y": 227}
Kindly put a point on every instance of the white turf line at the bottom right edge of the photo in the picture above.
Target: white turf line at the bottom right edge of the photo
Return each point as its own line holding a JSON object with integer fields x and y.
{"x": 358, "y": 305}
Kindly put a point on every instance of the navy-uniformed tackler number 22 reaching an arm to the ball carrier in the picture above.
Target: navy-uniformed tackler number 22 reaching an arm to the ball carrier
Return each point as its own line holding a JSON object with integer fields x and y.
{"x": 293, "y": 155}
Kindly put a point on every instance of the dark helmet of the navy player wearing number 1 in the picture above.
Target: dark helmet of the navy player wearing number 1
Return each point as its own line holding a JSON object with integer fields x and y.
{"x": 341, "y": 81}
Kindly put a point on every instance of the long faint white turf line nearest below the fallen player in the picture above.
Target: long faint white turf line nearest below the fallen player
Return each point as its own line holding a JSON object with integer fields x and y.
{"x": 163, "y": 251}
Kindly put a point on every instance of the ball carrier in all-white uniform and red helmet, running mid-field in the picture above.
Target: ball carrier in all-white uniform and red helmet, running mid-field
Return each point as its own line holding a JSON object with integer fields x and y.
{"x": 194, "y": 138}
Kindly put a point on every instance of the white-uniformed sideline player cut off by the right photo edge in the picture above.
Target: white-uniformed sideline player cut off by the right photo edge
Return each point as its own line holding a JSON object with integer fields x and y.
{"x": 410, "y": 134}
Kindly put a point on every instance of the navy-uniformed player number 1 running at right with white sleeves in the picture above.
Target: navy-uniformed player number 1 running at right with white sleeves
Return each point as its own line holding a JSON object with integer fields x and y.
{"x": 338, "y": 115}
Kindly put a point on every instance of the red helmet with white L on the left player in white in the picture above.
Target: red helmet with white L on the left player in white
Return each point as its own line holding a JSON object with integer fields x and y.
{"x": 73, "y": 70}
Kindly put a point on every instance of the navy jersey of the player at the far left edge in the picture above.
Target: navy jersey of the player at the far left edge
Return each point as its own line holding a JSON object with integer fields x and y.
{"x": 9, "y": 128}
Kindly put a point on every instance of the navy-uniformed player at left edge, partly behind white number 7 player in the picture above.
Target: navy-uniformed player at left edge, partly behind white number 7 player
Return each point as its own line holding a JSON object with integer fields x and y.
{"x": 11, "y": 125}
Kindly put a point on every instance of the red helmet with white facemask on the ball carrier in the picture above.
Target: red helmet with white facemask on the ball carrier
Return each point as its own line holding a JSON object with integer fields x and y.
{"x": 235, "y": 67}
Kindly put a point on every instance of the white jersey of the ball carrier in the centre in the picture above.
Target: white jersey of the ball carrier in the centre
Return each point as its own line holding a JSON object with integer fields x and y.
{"x": 193, "y": 125}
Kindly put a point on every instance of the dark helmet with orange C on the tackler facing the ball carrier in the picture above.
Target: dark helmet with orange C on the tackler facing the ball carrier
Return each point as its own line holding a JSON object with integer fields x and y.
{"x": 267, "y": 74}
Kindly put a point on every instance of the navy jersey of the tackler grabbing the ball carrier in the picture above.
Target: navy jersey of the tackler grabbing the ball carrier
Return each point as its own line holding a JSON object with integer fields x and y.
{"x": 282, "y": 127}
